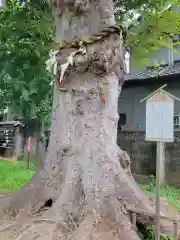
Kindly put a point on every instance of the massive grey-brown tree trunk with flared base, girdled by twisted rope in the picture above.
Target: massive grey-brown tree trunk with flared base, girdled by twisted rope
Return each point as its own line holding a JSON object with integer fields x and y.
{"x": 85, "y": 175}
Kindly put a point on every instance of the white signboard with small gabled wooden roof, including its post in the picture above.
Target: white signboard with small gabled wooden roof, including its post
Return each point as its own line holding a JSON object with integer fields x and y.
{"x": 160, "y": 129}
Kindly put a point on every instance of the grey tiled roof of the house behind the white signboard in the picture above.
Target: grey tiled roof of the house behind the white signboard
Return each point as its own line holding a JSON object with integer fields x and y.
{"x": 155, "y": 72}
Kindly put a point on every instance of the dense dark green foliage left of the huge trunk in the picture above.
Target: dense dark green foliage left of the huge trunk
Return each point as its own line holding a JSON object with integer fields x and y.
{"x": 26, "y": 35}
